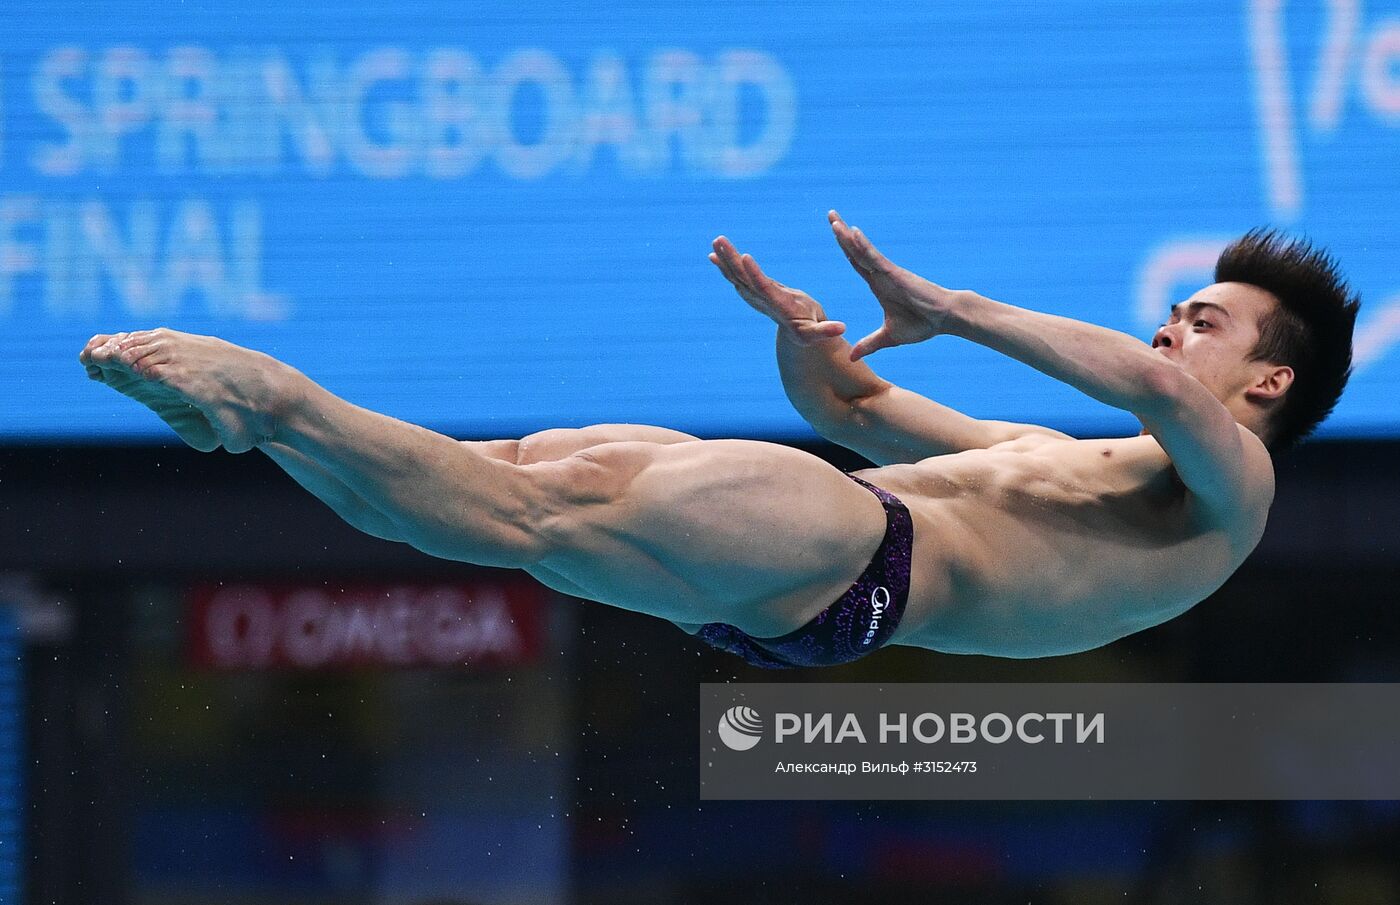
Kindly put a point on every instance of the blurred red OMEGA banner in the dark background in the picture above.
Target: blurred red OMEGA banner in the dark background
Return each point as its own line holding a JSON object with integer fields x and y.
{"x": 318, "y": 627}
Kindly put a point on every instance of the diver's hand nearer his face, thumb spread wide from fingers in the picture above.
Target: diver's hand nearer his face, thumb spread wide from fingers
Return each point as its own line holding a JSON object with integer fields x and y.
{"x": 915, "y": 308}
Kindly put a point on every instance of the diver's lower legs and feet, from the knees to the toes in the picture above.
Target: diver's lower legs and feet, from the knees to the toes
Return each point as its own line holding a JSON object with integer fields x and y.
{"x": 439, "y": 495}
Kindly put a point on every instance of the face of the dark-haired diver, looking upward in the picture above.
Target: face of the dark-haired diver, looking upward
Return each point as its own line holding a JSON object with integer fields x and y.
{"x": 1213, "y": 334}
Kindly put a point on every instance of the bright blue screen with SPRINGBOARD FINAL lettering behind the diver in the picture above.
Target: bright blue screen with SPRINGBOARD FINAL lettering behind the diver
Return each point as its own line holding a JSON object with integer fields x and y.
{"x": 495, "y": 218}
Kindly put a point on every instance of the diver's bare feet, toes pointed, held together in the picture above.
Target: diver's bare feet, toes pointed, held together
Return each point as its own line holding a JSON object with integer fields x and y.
{"x": 209, "y": 392}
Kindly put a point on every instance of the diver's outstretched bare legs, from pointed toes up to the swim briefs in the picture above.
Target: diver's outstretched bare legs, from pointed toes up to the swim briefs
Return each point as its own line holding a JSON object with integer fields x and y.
{"x": 692, "y": 532}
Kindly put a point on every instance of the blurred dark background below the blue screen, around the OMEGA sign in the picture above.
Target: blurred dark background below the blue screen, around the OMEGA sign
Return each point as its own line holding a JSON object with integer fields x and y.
{"x": 569, "y": 774}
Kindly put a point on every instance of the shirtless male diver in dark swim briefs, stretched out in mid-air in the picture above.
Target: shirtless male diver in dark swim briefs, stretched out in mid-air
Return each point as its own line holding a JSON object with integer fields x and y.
{"x": 968, "y": 537}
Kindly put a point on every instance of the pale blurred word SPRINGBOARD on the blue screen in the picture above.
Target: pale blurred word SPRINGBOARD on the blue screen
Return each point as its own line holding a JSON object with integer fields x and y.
{"x": 388, "y": 114}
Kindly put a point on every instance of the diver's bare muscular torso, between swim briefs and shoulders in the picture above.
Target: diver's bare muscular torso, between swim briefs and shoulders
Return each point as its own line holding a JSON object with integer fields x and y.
{"x": 1042, "y": 546}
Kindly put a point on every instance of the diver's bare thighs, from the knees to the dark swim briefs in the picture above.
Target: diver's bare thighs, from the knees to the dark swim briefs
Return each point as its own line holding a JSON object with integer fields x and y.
{"x": 755, "y": 534}
